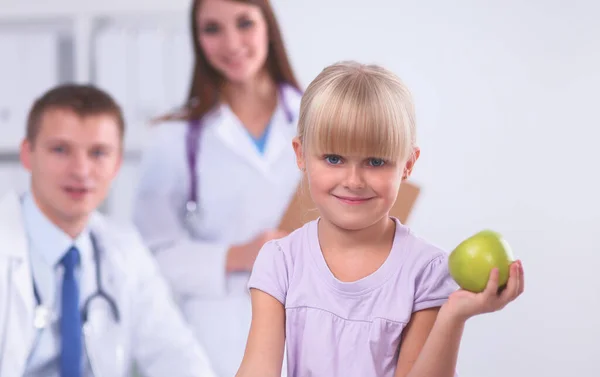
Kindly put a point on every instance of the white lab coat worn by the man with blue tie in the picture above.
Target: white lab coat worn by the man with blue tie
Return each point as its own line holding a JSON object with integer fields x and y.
{"x": 151, "y": 333}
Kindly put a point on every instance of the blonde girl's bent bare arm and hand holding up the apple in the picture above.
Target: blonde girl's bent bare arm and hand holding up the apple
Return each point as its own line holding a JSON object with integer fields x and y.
{"x": 432, "y": 339}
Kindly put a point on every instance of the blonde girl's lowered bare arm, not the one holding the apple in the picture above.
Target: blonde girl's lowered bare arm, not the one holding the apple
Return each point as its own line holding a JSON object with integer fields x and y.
{"x": 266, "y": 340}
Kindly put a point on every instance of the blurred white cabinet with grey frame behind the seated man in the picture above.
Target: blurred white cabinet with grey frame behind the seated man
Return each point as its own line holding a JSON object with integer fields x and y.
{"x": 141, "y": 55}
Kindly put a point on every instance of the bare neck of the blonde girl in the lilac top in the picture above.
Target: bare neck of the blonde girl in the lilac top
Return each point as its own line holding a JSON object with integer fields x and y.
{"x": 333, "y": 238}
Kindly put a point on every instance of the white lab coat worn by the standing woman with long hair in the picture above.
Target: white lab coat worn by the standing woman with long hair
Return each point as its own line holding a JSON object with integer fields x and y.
{"x": 240, "y": 192}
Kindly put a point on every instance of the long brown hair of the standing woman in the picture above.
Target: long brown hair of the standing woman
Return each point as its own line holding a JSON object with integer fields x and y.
{"x": 206, "y": 81}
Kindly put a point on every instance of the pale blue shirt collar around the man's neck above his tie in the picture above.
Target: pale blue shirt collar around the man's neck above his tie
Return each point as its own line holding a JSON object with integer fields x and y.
{"x": 46, "y": 238}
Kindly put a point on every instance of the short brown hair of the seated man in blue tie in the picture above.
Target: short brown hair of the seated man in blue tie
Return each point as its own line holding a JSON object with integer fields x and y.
{"x": 83, "y": 100}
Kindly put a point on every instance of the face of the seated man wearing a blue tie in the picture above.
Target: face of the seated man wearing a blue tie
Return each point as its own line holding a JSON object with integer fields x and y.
{"x": 72, "y": 162}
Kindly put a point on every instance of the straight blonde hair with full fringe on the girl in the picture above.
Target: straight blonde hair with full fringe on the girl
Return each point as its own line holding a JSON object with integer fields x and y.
{"x": 357, "y": 109}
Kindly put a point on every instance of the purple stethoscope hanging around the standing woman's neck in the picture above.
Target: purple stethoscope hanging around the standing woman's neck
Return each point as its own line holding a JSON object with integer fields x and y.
{"x": 192, "y": 208}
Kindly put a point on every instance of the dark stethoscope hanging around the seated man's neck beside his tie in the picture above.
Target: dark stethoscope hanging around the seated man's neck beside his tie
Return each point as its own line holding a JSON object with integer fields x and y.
{"x": 43, "y": 315}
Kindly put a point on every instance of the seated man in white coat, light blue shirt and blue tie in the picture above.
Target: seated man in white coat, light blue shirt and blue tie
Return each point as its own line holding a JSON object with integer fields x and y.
{"x": 79, "y": 295}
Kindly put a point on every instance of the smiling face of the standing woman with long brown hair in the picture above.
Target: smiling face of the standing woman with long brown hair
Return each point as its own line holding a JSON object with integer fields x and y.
{"x": 234, "y": 38}
